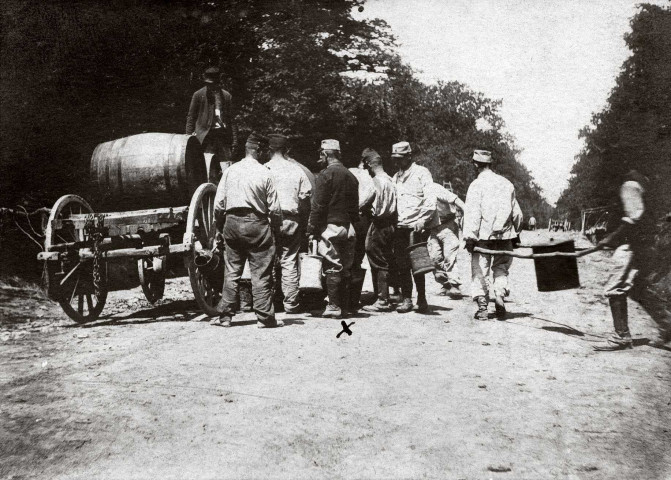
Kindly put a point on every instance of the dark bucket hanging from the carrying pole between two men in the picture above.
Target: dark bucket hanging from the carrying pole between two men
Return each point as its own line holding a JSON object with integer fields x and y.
{"x": 557, "y": 273}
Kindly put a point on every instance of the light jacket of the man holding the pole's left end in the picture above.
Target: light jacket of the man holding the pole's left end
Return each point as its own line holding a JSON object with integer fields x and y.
{"x": 492, "y": 211}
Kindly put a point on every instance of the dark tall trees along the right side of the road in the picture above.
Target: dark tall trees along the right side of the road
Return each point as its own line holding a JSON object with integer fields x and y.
{"x": 633, "y": 131}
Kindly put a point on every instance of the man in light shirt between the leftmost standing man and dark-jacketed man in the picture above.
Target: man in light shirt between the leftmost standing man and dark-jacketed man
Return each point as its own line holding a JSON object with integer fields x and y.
{"x": 294, "y": 191}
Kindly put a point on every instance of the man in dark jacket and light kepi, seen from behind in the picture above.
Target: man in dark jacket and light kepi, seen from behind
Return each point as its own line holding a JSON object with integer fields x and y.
{"x": 335, "y": 207}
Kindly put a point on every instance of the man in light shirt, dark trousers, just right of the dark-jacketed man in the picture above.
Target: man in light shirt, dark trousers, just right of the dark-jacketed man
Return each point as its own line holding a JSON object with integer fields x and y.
{"x": 380, "y": 237}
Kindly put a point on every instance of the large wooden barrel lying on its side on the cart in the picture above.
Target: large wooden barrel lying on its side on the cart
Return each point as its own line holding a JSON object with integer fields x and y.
{"x": 150, "y": 170}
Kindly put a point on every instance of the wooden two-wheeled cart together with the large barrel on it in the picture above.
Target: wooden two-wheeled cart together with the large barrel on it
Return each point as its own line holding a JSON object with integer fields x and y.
{"x": 88, "y": 254}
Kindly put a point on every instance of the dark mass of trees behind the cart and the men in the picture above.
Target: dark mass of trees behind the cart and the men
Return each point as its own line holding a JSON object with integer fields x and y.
{"x": 77, "y": 73}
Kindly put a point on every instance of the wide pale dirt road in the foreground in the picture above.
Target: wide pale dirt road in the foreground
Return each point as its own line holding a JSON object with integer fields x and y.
{"x": 149, "y": 392}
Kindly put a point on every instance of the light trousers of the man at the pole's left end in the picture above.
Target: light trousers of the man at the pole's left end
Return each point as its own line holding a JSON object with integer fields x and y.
{"x": 484, "y": 266}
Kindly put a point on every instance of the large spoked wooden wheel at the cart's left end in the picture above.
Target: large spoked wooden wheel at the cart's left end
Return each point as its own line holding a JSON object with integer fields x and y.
{"x": 69, "y": 281}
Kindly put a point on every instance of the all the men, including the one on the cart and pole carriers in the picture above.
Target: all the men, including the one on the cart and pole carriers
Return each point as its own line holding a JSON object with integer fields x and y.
{"x": 267, "y": 205}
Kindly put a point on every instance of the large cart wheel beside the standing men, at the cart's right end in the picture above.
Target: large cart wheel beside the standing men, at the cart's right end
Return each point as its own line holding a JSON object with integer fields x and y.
{"x": 200, "y": 230}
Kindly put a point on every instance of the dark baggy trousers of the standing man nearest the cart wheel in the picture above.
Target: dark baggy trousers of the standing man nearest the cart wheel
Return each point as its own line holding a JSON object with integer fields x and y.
{"x": 248, "y": 237}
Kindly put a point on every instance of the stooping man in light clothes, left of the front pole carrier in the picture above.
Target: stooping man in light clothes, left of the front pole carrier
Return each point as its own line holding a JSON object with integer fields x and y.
{"x": 444, "y": 242}
